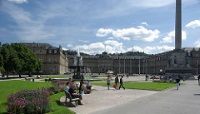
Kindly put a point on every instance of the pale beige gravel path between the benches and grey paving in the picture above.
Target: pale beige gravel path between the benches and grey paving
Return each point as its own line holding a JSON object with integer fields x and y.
{"x": 101, "y": 98}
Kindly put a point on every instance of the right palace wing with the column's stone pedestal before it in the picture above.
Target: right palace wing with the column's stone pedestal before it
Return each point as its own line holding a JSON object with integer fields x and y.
{"x": 184, "y": 61}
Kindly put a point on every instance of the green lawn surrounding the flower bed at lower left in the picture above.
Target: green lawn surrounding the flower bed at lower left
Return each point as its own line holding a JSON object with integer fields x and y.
{"x": 8, "y": 87}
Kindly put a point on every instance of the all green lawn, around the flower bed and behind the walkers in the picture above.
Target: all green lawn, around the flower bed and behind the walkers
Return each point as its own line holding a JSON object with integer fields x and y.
{"x": 8, "y": 87}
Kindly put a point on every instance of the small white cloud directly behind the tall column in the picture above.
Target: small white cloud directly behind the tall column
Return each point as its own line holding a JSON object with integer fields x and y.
{"x": 171, "y": 37}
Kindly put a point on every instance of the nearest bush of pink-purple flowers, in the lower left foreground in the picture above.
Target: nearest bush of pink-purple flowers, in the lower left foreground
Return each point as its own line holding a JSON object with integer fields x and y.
{"x": 29, "y": 102}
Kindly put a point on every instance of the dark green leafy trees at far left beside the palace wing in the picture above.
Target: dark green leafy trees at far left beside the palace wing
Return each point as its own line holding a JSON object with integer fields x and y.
{"x": 18, "y": 58}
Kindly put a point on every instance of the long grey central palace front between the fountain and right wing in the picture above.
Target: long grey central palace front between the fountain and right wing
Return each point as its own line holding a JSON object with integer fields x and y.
{"x": 118, "y": 63}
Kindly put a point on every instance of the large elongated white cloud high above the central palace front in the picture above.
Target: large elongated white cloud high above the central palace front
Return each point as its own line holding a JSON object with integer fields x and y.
{"x": 138, "y": 33}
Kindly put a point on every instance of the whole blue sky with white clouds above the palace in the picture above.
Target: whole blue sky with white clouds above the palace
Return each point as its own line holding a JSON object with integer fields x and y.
{"x": 95, "y": 26}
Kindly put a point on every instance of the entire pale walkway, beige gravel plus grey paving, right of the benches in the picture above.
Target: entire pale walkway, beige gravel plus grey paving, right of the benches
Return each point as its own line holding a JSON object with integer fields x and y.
{"x": 102, "y": 101}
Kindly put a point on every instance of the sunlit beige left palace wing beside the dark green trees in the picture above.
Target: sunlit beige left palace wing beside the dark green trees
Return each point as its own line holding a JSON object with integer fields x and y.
{"x": 53, "y": 59}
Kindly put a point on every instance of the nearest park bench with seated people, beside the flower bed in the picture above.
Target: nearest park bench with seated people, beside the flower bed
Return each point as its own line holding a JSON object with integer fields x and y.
{"x": 68, "y": 100}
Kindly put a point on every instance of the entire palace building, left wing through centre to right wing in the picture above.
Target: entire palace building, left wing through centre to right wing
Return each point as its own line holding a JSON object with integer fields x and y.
{"x": 55, "y": 61}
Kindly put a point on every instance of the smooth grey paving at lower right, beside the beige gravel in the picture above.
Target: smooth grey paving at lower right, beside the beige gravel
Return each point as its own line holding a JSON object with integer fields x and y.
{"x": 184, "y": 101}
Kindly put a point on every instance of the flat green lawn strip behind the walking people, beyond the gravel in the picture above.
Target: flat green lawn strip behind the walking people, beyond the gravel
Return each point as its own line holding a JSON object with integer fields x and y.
{"x": 153, "y": 86}
